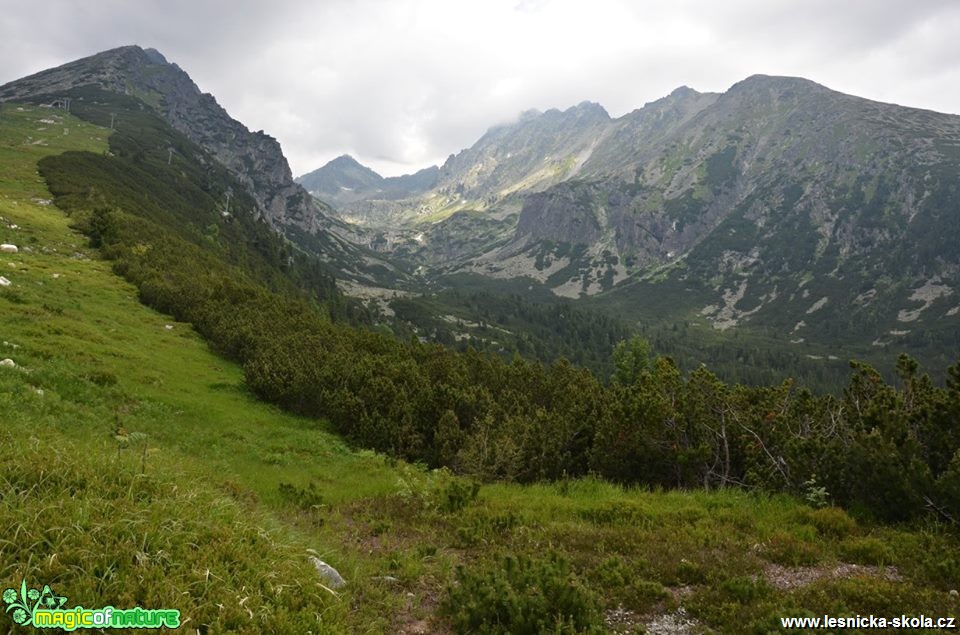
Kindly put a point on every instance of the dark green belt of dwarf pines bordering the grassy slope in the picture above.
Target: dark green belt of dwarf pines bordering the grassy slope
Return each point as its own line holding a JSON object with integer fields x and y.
{"x": 891, "y": 450}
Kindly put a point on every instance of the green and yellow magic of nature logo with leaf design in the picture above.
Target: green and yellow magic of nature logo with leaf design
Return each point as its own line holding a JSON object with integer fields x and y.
{"x": 42, "y": 608}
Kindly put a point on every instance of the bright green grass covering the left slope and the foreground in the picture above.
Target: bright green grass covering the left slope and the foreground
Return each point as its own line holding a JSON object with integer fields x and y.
{"x": 135, "y": 468}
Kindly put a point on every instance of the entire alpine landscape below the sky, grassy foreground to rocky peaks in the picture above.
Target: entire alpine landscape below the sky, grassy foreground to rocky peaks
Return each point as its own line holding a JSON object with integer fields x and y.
{"x": 591, "y": 375}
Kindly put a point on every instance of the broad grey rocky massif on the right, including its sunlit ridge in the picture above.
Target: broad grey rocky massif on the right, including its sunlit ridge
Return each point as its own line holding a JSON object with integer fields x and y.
{"x": 779, "y": 208}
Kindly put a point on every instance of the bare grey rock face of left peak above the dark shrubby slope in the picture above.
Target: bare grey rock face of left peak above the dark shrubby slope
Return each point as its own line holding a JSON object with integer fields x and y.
{"x": 254, "y": 157}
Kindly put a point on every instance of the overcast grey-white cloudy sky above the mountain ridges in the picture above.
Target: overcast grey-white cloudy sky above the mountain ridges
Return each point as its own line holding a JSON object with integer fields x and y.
{"x": 401, "y": 84}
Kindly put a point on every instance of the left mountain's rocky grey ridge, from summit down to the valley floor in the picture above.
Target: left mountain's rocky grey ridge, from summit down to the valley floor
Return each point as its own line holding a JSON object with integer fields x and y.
{"x": 255, "y": 159}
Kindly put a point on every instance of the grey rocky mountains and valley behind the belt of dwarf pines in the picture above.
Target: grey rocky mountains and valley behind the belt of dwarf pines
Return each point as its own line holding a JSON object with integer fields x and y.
{"x": 779, "y": 227}
